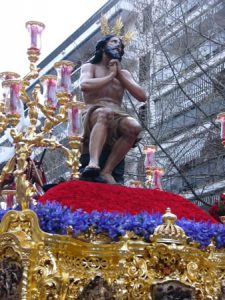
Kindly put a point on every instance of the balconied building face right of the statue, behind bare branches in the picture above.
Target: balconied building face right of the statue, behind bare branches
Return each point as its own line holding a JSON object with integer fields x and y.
{"x": 186, "y": 89}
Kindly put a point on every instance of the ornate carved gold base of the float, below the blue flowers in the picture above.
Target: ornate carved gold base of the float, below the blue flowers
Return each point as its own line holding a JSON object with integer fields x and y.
{"x": 37, "y": 265}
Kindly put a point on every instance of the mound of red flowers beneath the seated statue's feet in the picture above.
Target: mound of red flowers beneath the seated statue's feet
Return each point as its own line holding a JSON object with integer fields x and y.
{"x": 97, "y": 196}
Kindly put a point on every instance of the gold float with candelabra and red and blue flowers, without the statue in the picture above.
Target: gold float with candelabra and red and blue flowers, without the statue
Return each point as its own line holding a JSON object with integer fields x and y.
{"x": 84, "y": 240}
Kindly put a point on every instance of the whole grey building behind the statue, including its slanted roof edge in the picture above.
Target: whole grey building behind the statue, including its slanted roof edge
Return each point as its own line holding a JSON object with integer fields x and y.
{"x": 178, "y": 56}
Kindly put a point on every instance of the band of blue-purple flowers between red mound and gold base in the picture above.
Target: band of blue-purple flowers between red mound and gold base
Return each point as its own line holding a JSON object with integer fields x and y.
{"x": 55, "y": 219}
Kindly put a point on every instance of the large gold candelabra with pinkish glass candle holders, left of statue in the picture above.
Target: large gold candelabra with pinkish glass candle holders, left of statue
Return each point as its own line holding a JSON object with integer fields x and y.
{"x": 57, "y": 105}
